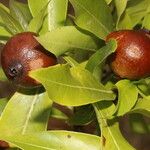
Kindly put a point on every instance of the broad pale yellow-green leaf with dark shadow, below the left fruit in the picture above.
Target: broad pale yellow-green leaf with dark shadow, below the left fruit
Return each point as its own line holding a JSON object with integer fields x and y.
{"x": 25, "y": 114}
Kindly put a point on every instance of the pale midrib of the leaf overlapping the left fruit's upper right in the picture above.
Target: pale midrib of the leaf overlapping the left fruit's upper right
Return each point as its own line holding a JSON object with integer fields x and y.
{"x": 71, "y": 45}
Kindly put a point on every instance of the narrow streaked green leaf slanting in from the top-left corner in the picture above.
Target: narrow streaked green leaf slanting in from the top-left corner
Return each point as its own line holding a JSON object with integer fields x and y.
{"x": 12, "y": 24}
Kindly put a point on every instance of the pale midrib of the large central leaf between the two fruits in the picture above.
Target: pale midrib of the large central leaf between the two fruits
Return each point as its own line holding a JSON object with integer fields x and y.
{"x": 79, "y": 87}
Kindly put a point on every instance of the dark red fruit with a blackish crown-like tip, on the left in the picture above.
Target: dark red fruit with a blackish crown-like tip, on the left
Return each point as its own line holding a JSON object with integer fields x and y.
{"x": 21, "y": 54}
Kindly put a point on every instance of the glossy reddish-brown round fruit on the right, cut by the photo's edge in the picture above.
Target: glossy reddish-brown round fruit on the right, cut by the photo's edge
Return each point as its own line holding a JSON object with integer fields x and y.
{"x": 132, "y": 57}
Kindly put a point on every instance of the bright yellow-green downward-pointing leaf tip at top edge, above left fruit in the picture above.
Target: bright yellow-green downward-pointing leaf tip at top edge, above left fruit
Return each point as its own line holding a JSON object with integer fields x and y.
{"x": 35, "y": 8}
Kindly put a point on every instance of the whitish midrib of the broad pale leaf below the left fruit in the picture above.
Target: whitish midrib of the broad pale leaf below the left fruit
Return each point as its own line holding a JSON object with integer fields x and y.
{"x": 29, "y": 114}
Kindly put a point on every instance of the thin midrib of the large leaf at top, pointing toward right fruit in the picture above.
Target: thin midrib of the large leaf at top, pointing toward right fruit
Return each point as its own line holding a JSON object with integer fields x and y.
{"x": 103, "y": 26}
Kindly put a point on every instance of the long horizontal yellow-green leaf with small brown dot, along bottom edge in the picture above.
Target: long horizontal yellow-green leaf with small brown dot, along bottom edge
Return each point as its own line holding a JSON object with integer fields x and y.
{"x": 56, "y": 140}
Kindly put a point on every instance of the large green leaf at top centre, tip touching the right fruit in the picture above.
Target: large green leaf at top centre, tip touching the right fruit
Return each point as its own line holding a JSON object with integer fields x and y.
{"x": 94, "y": 16}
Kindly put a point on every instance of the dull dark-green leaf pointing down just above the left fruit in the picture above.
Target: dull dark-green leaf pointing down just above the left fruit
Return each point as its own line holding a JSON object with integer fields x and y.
{"x": 20, "y": 12}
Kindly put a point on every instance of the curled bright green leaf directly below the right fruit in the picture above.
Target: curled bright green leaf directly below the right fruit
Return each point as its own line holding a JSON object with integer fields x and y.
{"x": 127, "y": 96}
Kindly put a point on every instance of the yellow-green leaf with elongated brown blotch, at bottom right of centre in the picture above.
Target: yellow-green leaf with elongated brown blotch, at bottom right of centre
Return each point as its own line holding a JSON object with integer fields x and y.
{"x": 111, "y": 137}
